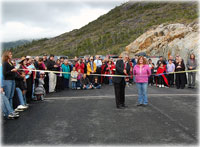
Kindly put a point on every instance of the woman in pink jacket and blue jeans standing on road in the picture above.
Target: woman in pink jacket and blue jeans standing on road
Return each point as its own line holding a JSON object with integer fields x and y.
{"x": 141, "y": 72}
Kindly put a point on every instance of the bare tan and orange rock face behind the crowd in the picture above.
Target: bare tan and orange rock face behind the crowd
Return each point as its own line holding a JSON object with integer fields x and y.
{"x": 166, "y": 40}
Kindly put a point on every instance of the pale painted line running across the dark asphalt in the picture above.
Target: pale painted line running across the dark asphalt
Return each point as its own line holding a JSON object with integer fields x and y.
{"x": 112, "y": 96}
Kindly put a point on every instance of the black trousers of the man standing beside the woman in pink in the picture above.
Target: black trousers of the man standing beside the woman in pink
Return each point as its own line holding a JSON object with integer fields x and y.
{"x": 120, "y": 93}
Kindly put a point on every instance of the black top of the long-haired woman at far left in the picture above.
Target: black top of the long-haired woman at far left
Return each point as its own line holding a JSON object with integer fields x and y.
{"x": 7, "y": 74}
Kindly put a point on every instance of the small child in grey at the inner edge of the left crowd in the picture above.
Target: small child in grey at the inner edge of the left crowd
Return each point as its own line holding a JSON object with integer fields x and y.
{"x": 39, "y": 90}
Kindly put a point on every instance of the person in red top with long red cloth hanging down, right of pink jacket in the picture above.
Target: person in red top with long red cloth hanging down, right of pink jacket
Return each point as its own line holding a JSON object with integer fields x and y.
{"x": 162, "y": 79}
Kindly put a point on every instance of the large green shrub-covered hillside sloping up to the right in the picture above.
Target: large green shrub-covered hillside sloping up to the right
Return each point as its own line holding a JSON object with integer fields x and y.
{"x": 112, "y": 32}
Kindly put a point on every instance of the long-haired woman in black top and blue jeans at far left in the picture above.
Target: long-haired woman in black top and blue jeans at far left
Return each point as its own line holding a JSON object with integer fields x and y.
{"x": 9, "y": 72}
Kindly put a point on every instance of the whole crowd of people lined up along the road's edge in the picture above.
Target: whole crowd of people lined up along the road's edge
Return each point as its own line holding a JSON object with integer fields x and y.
{"x": 31, "y": 79}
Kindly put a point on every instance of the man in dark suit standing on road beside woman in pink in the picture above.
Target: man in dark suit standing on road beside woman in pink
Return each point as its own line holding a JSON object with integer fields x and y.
{"x": 122, "y": 68}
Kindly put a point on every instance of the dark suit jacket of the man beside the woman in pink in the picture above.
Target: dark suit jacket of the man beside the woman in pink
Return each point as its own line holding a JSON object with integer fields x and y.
{"x": 120, "y": 71}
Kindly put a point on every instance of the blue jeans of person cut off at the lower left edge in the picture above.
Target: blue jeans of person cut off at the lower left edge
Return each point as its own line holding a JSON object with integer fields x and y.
{"x": 6, "y": 108}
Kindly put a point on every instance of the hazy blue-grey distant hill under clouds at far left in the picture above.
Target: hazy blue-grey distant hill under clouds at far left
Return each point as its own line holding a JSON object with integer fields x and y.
{"x": 14, "y": 44}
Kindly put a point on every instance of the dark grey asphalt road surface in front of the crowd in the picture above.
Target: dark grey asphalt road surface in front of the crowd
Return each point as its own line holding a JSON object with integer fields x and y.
{"x": 78, "y": 117}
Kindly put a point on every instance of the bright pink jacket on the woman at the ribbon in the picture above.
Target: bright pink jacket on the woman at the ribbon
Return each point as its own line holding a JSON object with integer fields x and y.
{"x": 141, "y": 74}
